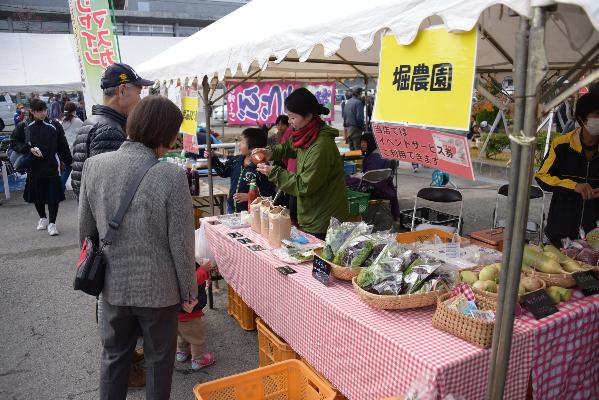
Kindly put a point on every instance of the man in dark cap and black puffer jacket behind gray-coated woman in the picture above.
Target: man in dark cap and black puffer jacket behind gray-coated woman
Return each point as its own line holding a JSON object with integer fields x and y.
{"x": 104, "y": 131}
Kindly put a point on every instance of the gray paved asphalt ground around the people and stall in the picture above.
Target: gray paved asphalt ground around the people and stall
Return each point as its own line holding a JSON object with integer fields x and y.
{"x": 49, "y": 346}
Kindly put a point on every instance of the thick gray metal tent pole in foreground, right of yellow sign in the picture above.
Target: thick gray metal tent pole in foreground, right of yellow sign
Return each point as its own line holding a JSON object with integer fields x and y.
{"x": 520, "y": 181}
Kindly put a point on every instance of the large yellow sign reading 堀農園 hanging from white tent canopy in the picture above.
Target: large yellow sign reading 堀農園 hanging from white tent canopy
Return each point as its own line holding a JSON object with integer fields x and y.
{"x": 428, "y": 82}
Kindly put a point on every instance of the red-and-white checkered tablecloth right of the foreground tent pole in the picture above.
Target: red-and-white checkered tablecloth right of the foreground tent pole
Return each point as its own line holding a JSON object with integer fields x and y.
{"x": 566, "y": 351}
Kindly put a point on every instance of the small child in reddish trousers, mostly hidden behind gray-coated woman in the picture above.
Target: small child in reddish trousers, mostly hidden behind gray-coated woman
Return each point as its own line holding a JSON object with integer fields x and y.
{"x": 190, "y": 332}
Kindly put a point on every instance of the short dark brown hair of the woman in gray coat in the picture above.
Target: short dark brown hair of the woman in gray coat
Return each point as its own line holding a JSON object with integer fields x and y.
{"x": 154, "y": 122}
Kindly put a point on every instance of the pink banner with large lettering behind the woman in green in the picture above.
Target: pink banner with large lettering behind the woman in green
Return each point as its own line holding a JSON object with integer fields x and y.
{"x": 261, "y": 103}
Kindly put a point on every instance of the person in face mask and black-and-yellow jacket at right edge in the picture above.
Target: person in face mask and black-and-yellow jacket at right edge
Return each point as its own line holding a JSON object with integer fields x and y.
{"x": 570, "y": 171}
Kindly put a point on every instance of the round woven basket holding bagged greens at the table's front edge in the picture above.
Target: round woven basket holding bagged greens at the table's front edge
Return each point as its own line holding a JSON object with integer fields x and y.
{"x": 402, "y": 302}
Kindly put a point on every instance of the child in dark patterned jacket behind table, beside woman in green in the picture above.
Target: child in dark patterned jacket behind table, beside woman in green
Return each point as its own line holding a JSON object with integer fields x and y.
{"x": 242, "y": 170}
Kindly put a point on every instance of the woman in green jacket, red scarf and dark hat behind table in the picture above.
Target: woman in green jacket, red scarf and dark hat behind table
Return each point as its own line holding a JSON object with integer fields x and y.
{"x": 319, "y": 183}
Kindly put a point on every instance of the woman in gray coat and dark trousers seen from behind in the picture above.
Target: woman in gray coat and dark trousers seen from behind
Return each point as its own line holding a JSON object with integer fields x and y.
{"x": 151, "y": 270}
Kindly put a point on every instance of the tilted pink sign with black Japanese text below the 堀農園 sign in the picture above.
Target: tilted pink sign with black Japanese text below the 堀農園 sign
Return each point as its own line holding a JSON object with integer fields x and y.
{"x": 440, "y": 150}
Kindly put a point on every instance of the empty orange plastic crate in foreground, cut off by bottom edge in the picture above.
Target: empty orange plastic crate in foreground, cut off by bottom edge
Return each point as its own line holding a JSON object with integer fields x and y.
{"x": 288, "y": 380}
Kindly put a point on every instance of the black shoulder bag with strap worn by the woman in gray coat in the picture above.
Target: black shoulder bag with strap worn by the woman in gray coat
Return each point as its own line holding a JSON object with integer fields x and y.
{"x": 92, "y": 263}
